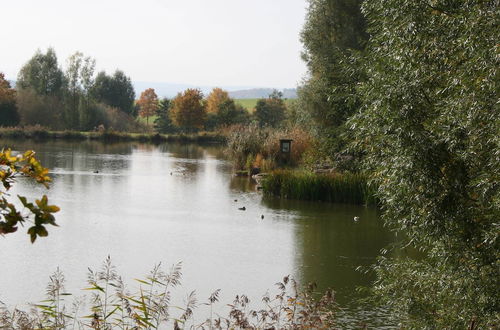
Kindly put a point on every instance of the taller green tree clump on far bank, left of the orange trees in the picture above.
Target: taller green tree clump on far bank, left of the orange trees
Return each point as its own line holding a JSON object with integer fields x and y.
{"x": 73, "y": 99}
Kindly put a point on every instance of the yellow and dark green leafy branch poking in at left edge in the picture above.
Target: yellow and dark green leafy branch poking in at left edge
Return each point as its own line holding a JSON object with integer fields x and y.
{"x": 40, "y": 213}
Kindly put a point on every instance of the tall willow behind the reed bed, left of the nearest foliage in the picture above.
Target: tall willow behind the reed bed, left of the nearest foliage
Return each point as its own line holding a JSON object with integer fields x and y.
{"x": 334, "y": 36}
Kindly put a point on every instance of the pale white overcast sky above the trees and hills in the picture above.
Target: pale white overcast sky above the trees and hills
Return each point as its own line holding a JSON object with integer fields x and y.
{"x": 252, "y": 43}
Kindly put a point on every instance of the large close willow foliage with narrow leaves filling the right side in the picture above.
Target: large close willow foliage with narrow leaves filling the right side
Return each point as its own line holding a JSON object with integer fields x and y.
{"x": 430, "y": 127}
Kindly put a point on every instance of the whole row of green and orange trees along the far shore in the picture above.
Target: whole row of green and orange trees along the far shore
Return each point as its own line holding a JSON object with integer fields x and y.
{"x": 79, "y": 99}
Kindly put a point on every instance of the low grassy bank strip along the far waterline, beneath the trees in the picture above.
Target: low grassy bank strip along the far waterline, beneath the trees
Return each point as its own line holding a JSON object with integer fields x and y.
{"x": 42, "y": 133}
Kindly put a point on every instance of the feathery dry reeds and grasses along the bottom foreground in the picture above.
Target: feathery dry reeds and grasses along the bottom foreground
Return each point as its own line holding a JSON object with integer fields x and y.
{"x": 112, "y": 306}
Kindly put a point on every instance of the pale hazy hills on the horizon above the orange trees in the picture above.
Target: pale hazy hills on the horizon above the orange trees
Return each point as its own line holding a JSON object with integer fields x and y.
{"x": 164, "y": 89}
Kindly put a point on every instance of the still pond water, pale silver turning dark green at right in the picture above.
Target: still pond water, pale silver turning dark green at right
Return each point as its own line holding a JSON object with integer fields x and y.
{"x": 176, "y": 202}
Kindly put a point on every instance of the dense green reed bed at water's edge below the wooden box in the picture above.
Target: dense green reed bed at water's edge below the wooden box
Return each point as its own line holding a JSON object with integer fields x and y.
{"x": 336, "y": 188}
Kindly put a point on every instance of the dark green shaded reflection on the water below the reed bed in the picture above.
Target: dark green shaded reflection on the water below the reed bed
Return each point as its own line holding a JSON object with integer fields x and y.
{"x": 331, "y": 244}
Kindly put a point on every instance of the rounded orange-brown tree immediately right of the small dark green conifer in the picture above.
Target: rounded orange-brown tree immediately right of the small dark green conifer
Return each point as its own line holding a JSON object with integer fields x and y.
{"x": 189, "y": 111}
